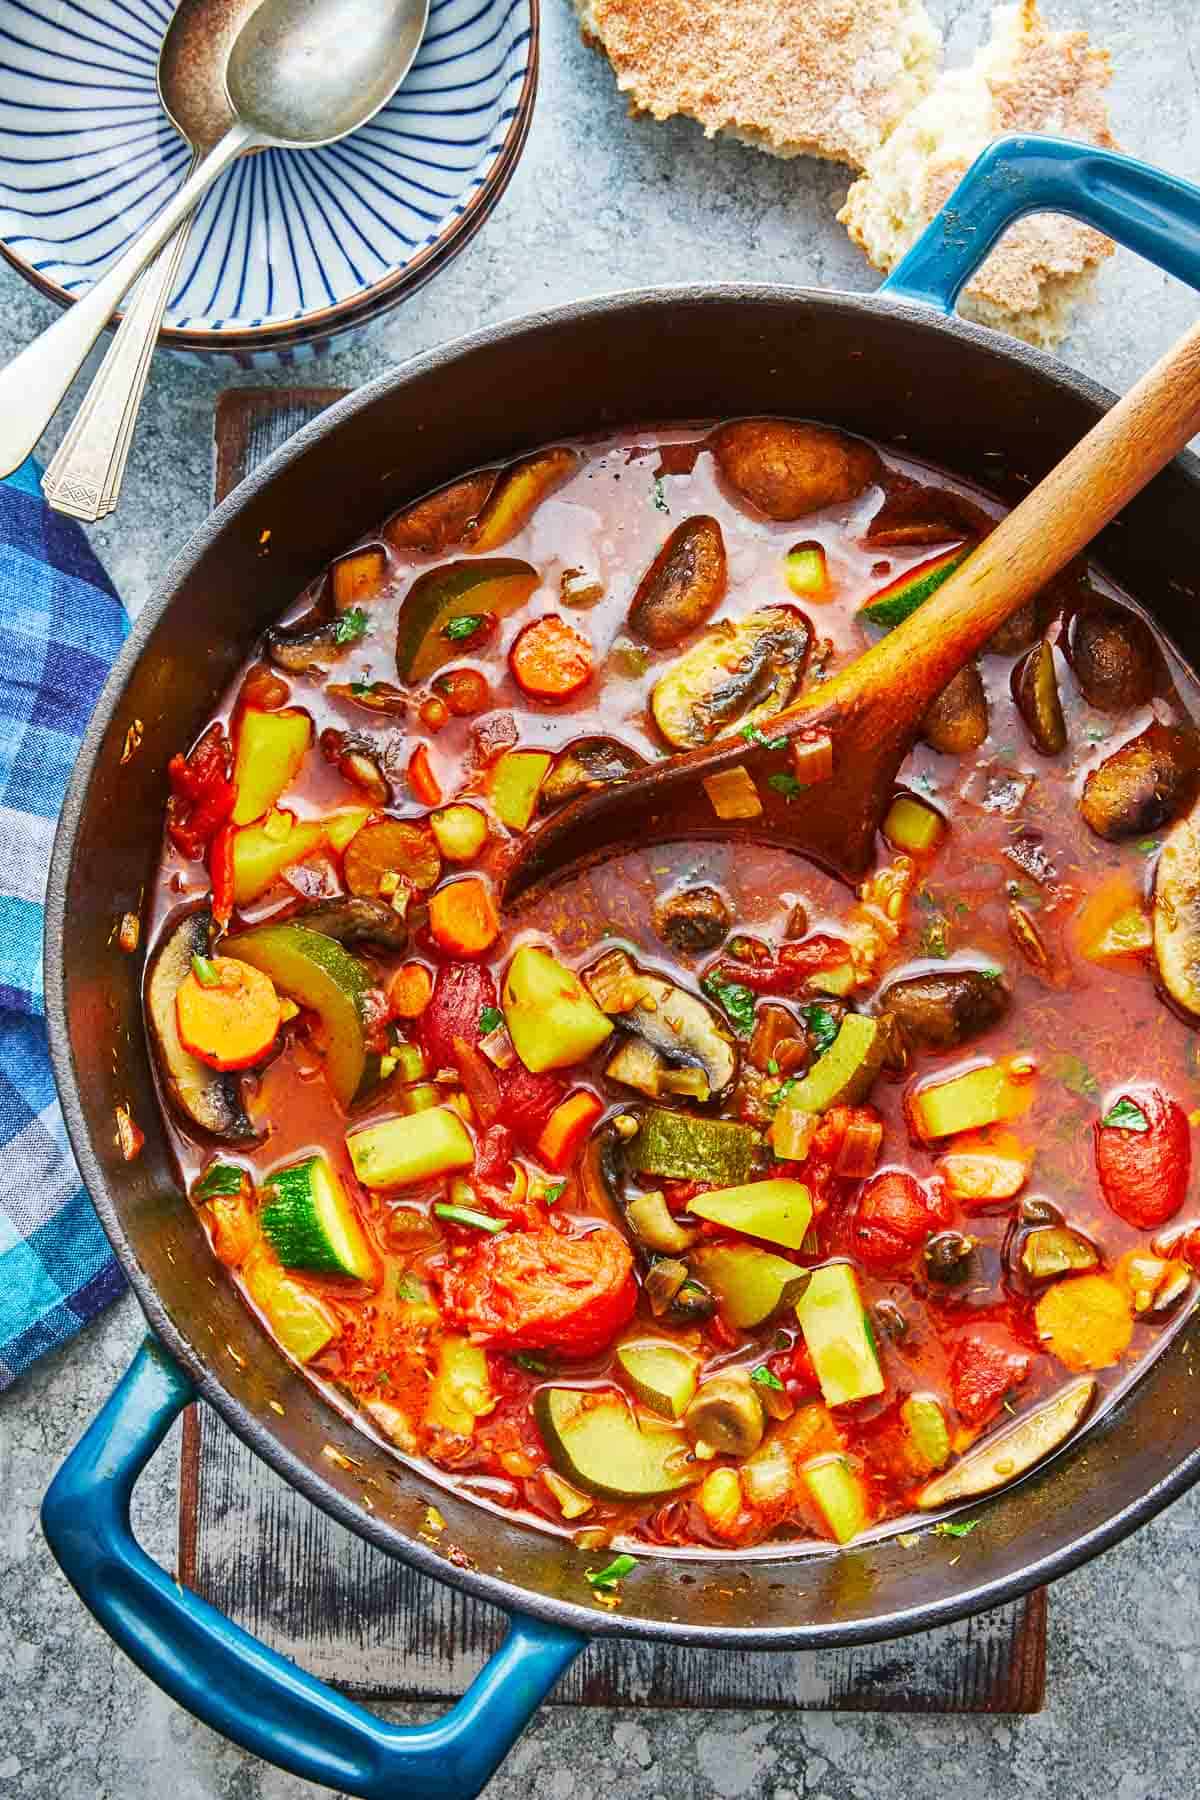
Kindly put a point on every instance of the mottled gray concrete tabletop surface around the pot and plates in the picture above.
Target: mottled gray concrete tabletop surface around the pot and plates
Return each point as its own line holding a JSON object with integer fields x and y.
{"x": 604, "y": 202}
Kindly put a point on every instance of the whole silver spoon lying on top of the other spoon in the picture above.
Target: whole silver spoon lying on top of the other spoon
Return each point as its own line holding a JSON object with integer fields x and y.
{"x": 301, "y": 75}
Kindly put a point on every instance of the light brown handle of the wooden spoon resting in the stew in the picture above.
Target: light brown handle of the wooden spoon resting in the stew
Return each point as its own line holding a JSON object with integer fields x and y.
{"x": 1037, "y": 539}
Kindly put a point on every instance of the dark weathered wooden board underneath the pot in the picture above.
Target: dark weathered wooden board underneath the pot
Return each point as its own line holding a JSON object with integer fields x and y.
{"x": 372, "y": 1626}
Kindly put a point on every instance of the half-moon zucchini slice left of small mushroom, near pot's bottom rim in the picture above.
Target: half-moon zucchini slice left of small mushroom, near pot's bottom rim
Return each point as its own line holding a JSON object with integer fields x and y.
{"x": 596, "y": 1443}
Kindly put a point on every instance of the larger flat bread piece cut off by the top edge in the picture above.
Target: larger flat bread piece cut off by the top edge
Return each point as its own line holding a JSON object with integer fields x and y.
{"x": 798, "y": 78}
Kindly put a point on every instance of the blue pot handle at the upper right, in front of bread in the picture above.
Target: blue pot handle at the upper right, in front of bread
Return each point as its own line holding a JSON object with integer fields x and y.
{"x": 1145, "y": 210}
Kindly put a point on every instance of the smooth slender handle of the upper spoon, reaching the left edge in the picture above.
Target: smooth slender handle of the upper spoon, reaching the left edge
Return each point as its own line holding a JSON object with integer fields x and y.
{"x": 33, "y": 384}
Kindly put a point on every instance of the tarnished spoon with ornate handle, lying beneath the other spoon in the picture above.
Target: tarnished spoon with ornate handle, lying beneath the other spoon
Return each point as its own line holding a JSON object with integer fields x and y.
{"x": 85, "y": 474}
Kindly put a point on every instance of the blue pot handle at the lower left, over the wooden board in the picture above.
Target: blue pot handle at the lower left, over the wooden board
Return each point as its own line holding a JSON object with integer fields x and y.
{"x": 233, "y": 1682}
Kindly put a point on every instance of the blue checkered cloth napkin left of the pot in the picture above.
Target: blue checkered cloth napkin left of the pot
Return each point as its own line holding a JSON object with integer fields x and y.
{"x": 60, "y": 631}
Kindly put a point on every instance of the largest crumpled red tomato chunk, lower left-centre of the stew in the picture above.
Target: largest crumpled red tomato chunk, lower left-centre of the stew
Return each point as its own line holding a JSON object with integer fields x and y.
{"x": 544, "y": 1291}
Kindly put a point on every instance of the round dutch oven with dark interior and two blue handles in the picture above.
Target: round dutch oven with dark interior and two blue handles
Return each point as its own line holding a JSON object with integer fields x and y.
{"x": 895, "y": 366}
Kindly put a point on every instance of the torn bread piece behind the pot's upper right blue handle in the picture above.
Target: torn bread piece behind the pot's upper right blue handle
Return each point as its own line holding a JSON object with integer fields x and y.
{"x": 1025, "y": 80}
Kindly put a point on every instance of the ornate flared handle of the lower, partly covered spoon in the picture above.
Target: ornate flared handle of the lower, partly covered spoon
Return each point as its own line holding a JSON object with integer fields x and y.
{"x": 85, "y": 474}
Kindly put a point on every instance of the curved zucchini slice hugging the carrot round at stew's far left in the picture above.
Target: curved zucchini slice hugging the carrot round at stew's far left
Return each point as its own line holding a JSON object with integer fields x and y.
{"x": 316, "y": 971}
